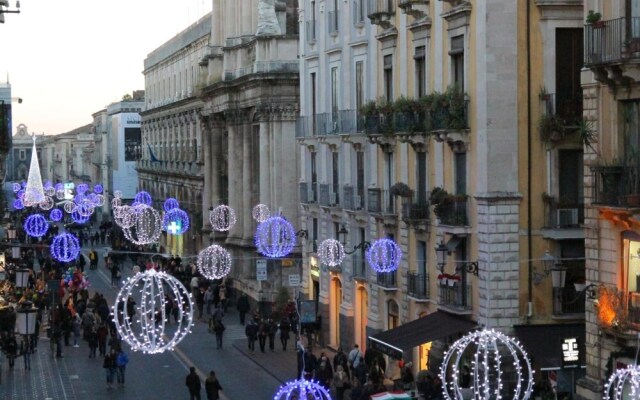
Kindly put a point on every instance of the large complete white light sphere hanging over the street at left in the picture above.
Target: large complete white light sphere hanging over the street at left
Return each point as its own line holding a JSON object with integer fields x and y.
{"x": 149, "y": 330}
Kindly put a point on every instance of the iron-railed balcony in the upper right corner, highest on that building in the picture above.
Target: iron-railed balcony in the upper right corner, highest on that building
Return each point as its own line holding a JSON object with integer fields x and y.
{"x": 610, "y": 46}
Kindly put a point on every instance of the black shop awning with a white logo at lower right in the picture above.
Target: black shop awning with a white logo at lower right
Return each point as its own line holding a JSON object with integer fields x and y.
{"x": 544, "y": 344}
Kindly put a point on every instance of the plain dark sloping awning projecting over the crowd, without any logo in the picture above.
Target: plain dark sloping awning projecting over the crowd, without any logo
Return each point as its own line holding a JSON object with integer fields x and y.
{"x": 422, "y": 330}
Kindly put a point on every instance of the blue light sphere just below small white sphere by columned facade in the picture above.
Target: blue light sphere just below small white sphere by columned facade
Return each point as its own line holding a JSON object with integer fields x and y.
{"x": 275, "y": 237}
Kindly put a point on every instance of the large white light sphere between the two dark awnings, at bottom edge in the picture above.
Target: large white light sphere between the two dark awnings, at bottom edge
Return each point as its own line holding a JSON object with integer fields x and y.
{"x": 500, "y": 367}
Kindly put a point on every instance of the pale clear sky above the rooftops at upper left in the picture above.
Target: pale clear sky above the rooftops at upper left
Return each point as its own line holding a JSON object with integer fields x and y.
{"x": 69, "y": 59}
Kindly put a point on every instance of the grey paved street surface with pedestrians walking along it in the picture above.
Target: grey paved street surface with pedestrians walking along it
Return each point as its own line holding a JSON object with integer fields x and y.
{"x": 75, "y": 376}
